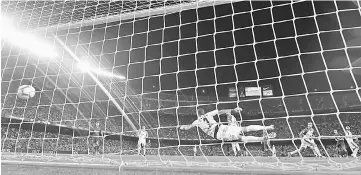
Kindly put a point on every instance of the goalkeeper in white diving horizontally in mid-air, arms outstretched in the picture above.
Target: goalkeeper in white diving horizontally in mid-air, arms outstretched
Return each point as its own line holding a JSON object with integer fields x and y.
{"x": 222, "y": 132}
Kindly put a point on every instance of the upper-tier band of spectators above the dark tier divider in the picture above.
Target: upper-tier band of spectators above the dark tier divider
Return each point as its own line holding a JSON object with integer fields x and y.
{"x": 180, "y": 106}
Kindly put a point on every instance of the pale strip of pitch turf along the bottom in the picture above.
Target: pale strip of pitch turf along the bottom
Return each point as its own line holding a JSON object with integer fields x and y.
{"x": 133, "y": 164}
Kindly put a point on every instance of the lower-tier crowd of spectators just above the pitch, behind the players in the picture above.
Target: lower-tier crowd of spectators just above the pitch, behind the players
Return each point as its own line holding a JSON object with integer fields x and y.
{"x": 23, "y": 140}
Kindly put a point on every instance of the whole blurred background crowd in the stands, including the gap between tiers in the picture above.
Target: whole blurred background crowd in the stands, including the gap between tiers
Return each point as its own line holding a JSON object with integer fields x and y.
{"x": 74, "y": 135}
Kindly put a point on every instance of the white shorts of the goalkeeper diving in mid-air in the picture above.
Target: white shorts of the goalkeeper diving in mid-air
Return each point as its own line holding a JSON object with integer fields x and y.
{"x": 227, "y": 133}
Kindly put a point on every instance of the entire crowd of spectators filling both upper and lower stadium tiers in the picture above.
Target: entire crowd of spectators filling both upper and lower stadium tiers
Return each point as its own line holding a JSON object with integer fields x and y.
{"x": 163, "y": 118}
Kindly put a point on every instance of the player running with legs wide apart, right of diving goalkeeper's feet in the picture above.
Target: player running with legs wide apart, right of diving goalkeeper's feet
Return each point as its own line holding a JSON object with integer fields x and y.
{"x": 307, "y": 141}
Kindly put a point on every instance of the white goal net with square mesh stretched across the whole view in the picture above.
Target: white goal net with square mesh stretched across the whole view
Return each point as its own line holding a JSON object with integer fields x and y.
{"x": 102, "y": 70}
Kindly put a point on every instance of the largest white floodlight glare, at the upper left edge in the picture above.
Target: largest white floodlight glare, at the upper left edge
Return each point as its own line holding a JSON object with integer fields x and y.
{"x": 25, "y": 40}
